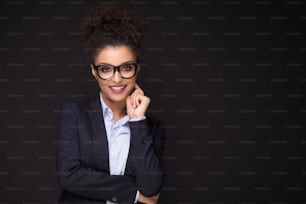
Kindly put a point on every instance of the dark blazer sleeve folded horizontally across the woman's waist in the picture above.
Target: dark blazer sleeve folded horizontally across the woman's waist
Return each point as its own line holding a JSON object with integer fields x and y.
{"x": 86, "y": 182}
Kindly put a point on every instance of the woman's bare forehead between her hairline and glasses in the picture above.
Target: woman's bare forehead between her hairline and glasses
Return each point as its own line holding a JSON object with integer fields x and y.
{"x": 115, "y": 55}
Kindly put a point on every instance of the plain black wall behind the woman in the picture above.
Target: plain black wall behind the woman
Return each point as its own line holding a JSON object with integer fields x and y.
{"x": 227, "y": 77}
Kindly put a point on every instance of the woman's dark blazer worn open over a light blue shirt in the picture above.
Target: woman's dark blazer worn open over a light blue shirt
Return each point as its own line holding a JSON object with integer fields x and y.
{"x": 83, "y": 163}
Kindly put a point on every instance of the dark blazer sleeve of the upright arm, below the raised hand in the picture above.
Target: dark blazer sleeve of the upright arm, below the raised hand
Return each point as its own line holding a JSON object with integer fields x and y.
{"x": 147, "y": 142}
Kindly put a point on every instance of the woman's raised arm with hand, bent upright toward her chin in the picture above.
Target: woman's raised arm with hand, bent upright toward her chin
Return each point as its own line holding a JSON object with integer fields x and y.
{"x": 147, "y": 142}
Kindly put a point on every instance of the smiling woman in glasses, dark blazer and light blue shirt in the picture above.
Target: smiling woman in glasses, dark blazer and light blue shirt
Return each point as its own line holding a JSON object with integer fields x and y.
{"x": 109, "y": 151}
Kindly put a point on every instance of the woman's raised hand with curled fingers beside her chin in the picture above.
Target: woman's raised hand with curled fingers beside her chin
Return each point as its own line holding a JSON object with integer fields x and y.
{"x": 137, "y": 103}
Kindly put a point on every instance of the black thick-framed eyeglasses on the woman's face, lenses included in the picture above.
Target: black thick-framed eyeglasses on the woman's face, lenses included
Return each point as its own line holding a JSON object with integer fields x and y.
{"x": 107, "y": 71}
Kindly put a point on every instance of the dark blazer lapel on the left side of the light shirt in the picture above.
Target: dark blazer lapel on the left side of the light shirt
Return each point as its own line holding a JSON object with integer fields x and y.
{"x": 99, "y": 132}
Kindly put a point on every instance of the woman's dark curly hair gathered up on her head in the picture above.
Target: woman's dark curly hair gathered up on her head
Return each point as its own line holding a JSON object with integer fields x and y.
{"x": 114, "y": 24}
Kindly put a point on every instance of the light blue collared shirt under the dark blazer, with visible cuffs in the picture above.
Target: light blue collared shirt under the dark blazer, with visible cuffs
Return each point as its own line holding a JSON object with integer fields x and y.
{"x": 118, "y": 136}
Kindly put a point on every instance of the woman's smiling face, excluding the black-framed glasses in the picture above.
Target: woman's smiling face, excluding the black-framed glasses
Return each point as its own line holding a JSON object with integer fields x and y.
{"x": 115, "y": 89}
